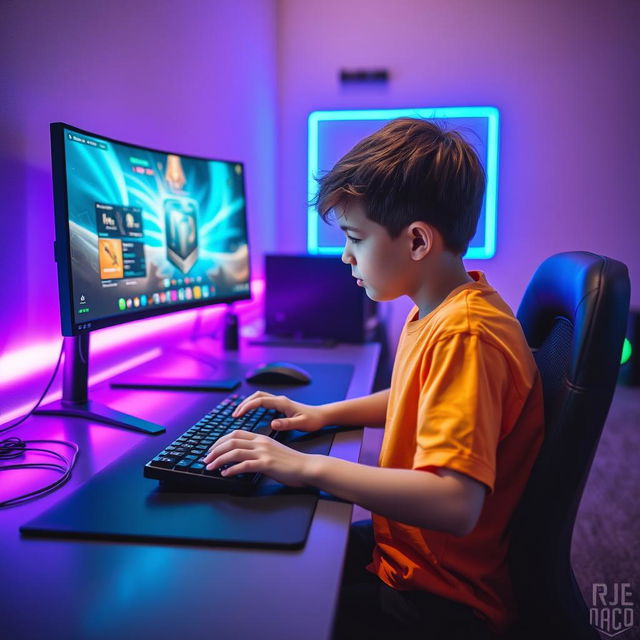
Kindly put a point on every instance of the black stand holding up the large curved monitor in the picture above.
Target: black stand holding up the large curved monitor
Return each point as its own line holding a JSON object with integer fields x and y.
{"x": 75, "y": 393}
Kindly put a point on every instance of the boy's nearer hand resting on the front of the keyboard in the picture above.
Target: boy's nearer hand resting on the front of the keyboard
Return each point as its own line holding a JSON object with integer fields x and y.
{"x": 256, "y": 453}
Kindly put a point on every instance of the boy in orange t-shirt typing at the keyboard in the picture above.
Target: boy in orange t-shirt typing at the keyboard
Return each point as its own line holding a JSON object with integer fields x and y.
{"x": 463, "y": 417}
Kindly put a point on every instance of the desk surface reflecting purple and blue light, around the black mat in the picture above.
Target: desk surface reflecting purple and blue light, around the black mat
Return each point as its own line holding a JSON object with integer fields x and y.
{"x": 100, "y": 590}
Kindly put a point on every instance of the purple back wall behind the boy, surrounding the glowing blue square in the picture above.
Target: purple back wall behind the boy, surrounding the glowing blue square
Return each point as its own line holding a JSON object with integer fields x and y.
{"x": 564, "y": 75}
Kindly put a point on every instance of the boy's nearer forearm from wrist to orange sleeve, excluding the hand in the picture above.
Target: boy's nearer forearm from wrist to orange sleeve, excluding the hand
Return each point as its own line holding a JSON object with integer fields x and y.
{"x": 449, "y": 501}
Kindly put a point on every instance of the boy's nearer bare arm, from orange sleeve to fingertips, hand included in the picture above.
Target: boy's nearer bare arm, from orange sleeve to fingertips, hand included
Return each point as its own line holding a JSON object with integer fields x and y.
{"x": 449, "y": 501}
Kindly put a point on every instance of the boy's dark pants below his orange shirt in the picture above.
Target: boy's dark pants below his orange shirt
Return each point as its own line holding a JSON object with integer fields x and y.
{"x": 368, "y": 608}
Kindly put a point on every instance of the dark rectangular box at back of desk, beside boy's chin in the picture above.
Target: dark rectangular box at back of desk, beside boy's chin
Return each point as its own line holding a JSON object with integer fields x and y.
{"x": 309, "y": 296}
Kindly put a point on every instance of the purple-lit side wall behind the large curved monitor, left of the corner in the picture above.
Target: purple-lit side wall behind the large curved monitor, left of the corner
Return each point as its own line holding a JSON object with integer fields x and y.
{"x": 196, "y": 77}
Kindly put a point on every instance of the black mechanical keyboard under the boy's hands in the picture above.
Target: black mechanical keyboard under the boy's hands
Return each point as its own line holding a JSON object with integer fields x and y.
{"x": 181, "y": 464}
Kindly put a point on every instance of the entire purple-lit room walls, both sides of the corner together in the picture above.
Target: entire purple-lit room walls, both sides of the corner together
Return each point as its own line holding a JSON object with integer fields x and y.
{"x": 236, "y": 79}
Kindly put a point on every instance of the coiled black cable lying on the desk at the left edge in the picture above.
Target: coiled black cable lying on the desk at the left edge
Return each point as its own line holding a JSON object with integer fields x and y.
{"x": 13, "y": 448}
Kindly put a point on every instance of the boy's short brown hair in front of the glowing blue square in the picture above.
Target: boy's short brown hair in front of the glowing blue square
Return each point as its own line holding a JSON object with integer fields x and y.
{"x": 410, "y": 170}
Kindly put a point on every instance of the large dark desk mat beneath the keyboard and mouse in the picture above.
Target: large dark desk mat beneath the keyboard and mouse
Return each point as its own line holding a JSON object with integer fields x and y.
{"x": 119, "y": 503}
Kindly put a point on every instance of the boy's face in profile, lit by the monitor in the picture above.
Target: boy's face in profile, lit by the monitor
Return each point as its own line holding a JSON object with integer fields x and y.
{"x": 380, "y": 263}
